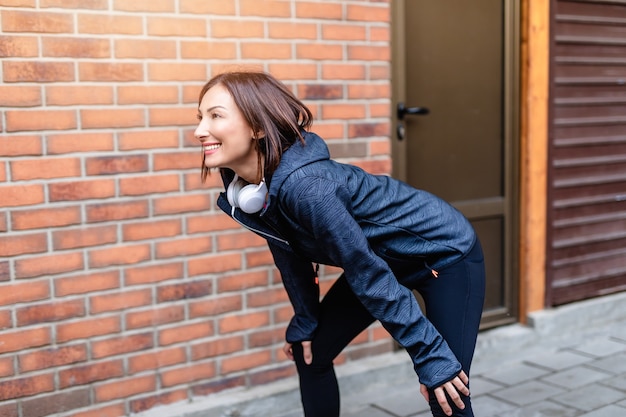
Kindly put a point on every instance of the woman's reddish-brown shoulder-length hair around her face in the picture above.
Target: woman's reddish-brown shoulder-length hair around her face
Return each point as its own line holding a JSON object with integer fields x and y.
{"x": 267, "y": 106}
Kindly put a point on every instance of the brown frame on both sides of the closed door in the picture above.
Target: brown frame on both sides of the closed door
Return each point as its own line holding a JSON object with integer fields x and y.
{"x": 509, "y": 313}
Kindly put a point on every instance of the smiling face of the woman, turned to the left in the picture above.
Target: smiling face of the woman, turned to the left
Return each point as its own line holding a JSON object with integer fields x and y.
{"x": 226, "y": 138}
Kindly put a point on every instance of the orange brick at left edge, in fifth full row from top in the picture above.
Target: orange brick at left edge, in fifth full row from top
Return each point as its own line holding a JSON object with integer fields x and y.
{"x": 18, "y": 120}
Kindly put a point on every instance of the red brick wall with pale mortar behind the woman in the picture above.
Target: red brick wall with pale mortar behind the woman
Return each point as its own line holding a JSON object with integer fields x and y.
{"x": 121, "y": 285}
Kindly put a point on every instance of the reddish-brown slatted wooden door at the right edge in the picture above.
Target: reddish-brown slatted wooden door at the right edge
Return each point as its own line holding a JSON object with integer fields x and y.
{"x": 587, "y": 186}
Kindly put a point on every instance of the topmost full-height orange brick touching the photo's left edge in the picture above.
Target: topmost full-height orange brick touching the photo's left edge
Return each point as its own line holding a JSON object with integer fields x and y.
{"x": 36, "y": 21}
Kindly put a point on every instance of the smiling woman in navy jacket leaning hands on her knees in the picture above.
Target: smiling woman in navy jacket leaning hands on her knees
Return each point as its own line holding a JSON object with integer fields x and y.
{"x": 387, "y": 237}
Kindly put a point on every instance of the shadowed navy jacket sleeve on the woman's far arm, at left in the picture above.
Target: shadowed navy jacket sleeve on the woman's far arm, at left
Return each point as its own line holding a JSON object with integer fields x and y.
{"x": 298, "y": 278}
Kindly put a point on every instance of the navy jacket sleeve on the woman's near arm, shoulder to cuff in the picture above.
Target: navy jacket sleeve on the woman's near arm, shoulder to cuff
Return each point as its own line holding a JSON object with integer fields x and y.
{"x": 323, "y": 208}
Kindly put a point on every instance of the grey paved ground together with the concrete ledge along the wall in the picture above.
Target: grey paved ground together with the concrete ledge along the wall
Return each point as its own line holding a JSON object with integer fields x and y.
{"x": 567, "y": 362}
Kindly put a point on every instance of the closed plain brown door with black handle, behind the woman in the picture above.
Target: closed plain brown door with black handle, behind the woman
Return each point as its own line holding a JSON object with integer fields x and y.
{"x": 451, "y": 59}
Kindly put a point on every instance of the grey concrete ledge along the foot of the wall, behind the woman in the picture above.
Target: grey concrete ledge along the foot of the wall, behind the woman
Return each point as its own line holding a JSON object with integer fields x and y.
{"x": 571, "y": 323}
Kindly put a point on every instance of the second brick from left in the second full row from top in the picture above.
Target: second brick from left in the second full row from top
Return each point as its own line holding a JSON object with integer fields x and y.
{"x": 68, "y": 47}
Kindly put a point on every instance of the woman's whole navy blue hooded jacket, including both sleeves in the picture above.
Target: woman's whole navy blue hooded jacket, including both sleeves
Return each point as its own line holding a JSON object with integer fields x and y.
{"x": 383, "y": 233}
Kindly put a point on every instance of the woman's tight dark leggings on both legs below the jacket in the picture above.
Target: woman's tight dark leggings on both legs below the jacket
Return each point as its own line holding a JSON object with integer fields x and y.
{"x": 453, "y": 302}
